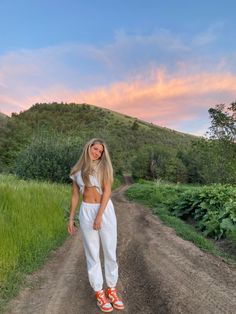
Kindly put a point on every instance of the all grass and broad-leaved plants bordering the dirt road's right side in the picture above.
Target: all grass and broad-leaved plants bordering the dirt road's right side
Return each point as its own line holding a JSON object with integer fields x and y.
{"x": 197, "y": 213}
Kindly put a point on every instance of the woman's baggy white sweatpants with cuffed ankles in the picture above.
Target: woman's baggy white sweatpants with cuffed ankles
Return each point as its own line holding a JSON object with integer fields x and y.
{"x": 91, "y": 242}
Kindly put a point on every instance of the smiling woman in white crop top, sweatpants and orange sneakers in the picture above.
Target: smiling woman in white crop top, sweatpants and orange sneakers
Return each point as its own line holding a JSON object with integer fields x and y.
{"x": 92, "y": 177}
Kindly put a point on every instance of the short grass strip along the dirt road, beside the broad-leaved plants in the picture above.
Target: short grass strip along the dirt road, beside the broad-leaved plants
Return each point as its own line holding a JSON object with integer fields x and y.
{"x": 157, "y": 196}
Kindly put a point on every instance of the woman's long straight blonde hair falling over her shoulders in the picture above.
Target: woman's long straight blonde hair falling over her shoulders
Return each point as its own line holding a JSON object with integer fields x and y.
{"x": 102, "y": 167}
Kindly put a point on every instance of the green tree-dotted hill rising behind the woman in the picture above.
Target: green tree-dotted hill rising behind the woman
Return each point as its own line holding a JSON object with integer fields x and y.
{"x": 126, "y": 136}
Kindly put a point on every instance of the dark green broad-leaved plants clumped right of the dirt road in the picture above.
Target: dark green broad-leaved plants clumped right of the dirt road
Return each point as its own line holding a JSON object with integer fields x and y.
{"x": 213, "y": 208}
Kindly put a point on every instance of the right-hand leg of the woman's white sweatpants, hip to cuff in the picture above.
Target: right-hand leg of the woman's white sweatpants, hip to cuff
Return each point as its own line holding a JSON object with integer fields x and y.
{"x": 108, "y": 234}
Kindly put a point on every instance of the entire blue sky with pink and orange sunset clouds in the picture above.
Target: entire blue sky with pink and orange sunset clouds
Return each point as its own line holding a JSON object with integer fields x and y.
{"x": 165, "y": 62}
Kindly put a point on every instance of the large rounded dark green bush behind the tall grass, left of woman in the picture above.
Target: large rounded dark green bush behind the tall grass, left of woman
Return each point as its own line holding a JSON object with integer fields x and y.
{"x": 48, "y": 159}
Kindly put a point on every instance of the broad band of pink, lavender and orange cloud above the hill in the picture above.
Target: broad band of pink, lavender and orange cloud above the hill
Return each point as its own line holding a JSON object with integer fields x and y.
{"x": 159, "y": 77}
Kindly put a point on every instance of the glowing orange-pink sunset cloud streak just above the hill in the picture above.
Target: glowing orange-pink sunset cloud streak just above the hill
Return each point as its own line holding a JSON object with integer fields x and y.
{"x": 167, "y": 100}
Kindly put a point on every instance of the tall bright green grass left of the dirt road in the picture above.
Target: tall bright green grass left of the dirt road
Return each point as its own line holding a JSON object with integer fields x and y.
{"x": 32, "y": 223}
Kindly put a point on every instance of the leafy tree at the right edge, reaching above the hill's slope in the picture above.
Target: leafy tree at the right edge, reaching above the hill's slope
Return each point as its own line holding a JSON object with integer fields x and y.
{"x": 212, "y": 159}
